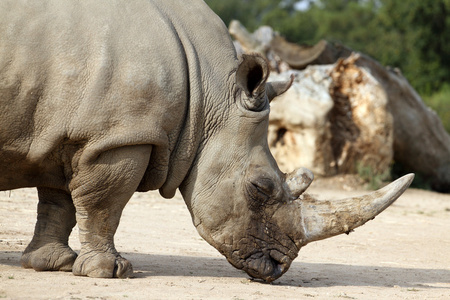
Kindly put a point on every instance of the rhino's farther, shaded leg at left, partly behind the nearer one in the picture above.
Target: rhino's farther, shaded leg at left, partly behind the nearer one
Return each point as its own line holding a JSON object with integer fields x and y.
{"x": 49, "y": 249}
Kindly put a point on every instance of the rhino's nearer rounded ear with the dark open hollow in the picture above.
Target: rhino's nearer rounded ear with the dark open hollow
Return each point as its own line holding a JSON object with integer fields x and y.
{"x": 251, "y": 77}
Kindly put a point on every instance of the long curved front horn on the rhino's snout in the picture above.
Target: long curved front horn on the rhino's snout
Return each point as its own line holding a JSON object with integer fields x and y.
{"x": 322, "y": 219}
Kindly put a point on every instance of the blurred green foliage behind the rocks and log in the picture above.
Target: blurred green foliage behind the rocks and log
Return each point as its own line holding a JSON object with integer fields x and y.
{"x": 412, "y": 35}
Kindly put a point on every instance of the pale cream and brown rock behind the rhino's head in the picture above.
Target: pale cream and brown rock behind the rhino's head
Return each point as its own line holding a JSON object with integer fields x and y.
{"x": 332, "y": 120}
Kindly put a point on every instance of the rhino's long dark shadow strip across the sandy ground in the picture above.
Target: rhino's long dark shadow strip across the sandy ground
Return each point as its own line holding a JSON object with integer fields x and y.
{"x": 302, "y": 274}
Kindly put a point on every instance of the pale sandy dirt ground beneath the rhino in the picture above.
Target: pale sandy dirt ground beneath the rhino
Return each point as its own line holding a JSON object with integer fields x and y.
{"x": 403, "y": 254}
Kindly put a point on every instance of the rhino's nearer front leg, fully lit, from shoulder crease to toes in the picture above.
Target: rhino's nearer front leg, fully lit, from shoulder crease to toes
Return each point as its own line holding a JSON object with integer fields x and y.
{"x": 100, "y": 191}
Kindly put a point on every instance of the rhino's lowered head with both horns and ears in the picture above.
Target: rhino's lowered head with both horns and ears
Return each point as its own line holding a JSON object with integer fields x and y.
{"x": 243, "y": 205}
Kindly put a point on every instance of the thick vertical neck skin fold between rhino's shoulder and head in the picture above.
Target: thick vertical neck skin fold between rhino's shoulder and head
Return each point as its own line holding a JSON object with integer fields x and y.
{"x": 205, "y": 76}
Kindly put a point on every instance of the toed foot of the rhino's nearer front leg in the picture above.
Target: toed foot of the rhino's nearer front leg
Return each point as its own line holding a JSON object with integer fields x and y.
{"x": 102, "y": 265}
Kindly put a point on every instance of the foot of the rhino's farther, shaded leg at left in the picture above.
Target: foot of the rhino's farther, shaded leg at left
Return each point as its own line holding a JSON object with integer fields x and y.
{"x": 50, "y": 257}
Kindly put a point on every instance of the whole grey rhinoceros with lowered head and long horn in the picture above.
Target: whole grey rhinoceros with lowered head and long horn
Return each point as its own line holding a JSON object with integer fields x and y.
{"x": 104, "y": 98}
